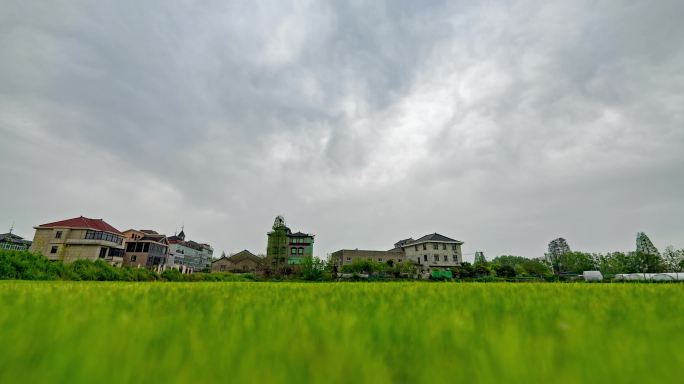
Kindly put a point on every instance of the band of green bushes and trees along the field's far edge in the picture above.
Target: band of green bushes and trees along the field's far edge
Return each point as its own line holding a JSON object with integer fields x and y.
{"x": 23, "y": 265}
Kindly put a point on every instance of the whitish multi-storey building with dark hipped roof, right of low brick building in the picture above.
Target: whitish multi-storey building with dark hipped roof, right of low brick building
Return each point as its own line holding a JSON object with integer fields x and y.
{"x": 433, "y": 251}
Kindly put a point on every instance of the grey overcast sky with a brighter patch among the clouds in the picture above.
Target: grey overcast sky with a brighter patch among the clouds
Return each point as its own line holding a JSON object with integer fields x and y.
{"x": 503, "y": 124}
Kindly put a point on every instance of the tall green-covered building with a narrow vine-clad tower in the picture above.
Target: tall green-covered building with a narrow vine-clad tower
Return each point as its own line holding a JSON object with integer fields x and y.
{"x": 287, "y": 248}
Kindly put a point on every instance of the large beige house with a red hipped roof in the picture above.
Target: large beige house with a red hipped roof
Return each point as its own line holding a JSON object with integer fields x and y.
{"x": 79, "y": 238}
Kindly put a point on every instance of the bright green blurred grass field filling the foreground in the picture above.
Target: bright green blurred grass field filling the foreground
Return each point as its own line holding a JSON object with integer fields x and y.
{"x": 72, "y": 332}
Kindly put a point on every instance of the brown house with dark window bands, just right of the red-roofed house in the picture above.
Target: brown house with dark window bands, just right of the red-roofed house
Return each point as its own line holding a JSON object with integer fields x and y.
{"x": 145, "y": 248}
